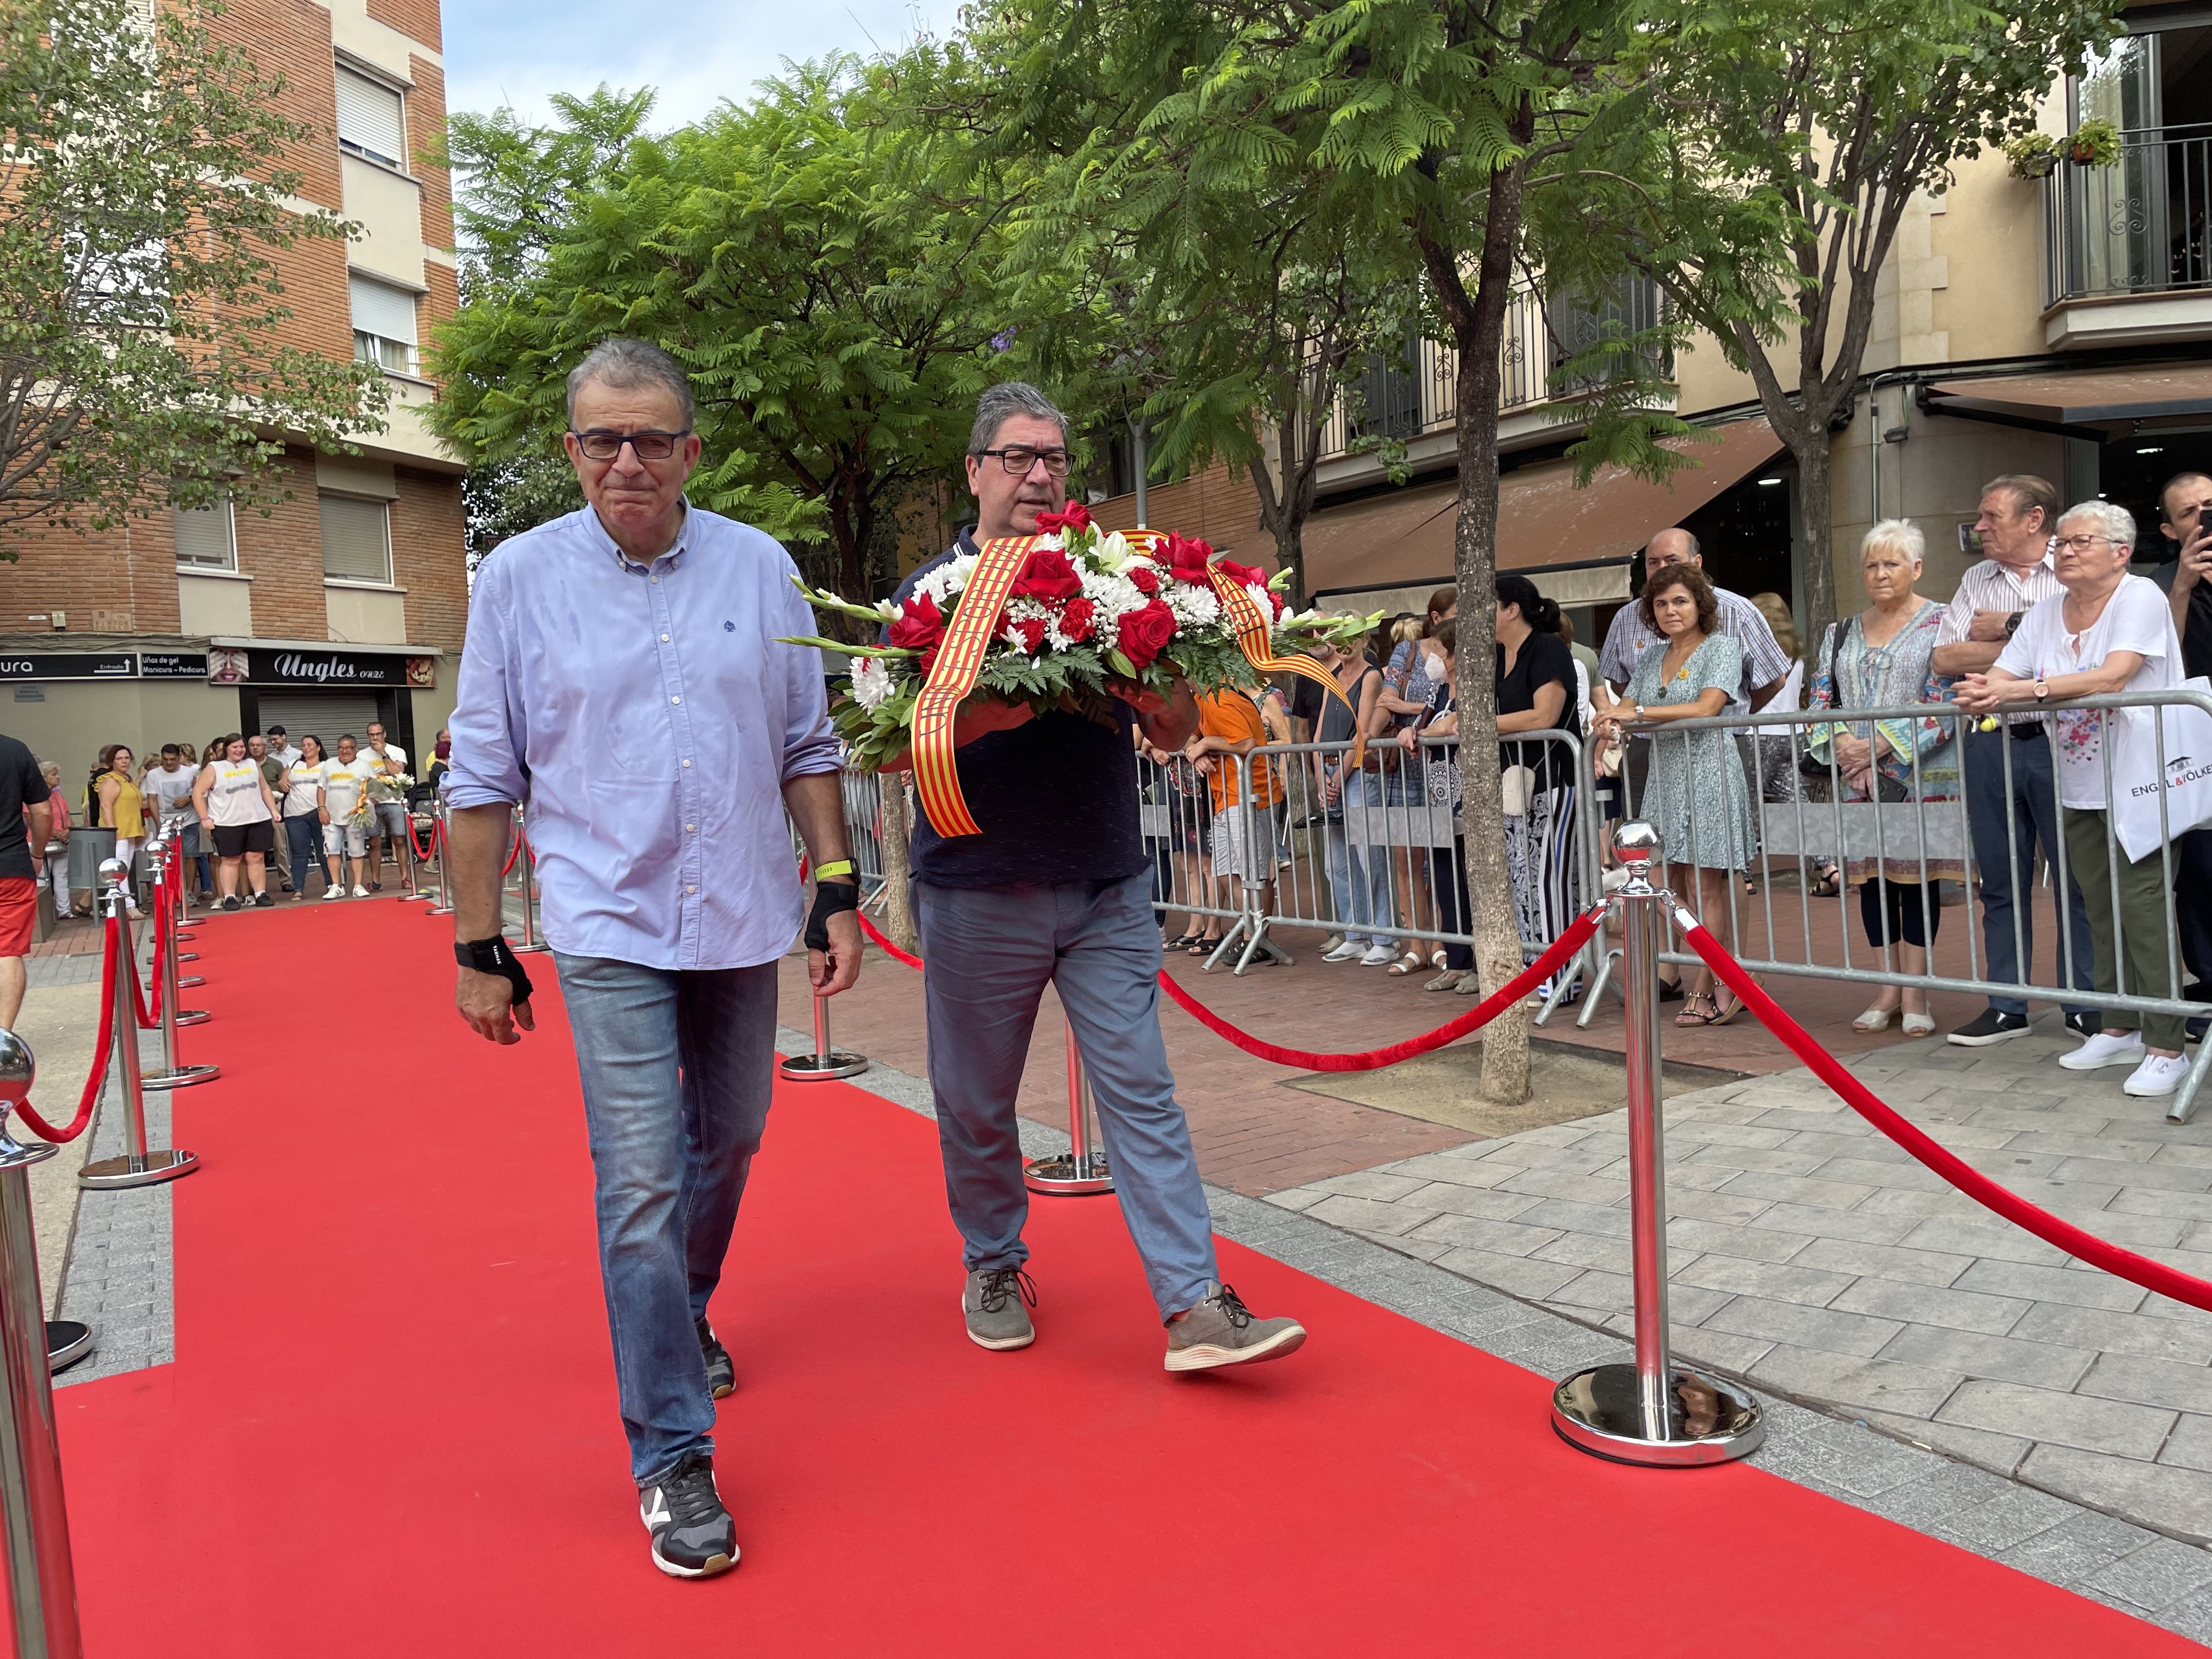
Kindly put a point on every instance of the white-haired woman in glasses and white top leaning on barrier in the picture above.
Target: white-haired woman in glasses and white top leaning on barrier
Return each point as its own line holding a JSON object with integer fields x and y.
{"x": 2107, "y": 634}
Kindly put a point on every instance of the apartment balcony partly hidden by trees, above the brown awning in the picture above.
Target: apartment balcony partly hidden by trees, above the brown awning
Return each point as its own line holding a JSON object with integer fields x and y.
{"x": 1415, "y": 399}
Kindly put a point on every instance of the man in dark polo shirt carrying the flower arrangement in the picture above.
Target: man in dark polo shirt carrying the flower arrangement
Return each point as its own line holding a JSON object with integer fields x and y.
{"x": 1058, "y": 888}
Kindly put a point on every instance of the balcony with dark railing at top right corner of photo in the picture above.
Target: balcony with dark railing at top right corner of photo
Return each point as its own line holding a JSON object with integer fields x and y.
{"x": 2127, "y": 255}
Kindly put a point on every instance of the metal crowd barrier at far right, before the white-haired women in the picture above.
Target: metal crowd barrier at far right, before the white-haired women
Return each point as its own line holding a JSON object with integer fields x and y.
{"x": 1921, "y": 842}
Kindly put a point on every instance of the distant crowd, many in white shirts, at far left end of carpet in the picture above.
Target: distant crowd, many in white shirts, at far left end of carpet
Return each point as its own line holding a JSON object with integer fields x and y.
{"x": 262, "y": 817}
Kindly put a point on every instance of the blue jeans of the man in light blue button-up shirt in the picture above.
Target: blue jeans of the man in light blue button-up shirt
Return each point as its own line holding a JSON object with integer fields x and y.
{"x": 678, "y": 1070}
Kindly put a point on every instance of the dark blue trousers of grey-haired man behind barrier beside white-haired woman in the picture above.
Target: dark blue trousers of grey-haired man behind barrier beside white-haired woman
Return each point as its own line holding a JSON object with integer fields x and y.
{"x": 2034, "y": 817}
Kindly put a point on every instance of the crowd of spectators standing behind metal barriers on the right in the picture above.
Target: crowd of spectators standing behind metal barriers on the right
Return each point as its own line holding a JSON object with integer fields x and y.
{"x": 1932, "y": 702}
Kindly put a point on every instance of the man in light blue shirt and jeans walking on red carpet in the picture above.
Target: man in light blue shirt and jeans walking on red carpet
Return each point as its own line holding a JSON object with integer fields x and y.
{"x": 623, "y": 678}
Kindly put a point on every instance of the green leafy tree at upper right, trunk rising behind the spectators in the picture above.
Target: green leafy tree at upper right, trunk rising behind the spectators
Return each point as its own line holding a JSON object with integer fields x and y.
{"x": 1786, "y": 147}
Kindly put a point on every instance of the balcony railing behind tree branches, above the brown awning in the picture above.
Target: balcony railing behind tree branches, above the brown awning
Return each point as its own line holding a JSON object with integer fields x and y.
{"x": 1421, "y": 395}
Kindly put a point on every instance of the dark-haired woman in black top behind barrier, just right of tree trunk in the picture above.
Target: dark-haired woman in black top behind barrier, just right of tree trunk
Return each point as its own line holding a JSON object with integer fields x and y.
{"x": 1536, "y": 693}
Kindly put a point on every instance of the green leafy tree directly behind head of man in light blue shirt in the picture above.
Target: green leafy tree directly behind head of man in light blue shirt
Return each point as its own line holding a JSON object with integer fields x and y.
{"x": 835, "y": 324}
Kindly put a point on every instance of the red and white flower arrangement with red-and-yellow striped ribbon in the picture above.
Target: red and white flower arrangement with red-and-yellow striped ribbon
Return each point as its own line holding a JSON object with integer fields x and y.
{"x": 1061, "y": 620}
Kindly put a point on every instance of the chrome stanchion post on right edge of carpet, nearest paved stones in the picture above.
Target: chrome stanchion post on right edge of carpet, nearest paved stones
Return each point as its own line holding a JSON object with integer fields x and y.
{"x": 1649, "y": 1412}
